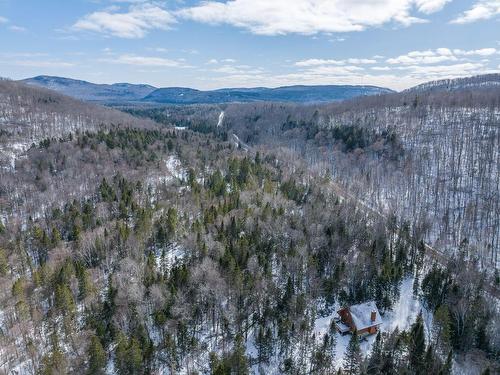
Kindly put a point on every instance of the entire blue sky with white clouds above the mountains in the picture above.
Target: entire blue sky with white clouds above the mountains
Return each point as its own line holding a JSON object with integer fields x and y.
{"x": 248, "y": 43}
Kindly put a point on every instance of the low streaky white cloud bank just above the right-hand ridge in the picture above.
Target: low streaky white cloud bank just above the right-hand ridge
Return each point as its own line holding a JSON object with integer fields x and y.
{"x": 400, "y": 72}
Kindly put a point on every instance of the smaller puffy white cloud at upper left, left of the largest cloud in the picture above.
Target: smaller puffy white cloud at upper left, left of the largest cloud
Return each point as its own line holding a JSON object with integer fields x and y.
{"x": 134, "y": 23}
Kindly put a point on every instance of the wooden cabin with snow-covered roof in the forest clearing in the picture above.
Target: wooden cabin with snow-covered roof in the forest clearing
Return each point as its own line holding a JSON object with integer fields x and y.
{"x": 364, "y": 319}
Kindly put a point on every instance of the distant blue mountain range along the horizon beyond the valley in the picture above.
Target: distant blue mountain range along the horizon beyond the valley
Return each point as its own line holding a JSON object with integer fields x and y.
{"x": 125, "y": 92}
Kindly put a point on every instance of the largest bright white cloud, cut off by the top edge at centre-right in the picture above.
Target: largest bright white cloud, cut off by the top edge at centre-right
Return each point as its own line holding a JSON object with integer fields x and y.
{"x": 309, "y": 16}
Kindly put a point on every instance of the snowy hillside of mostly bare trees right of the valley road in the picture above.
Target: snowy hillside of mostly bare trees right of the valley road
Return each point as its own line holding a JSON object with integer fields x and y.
{"x": 431, "y": 157}
